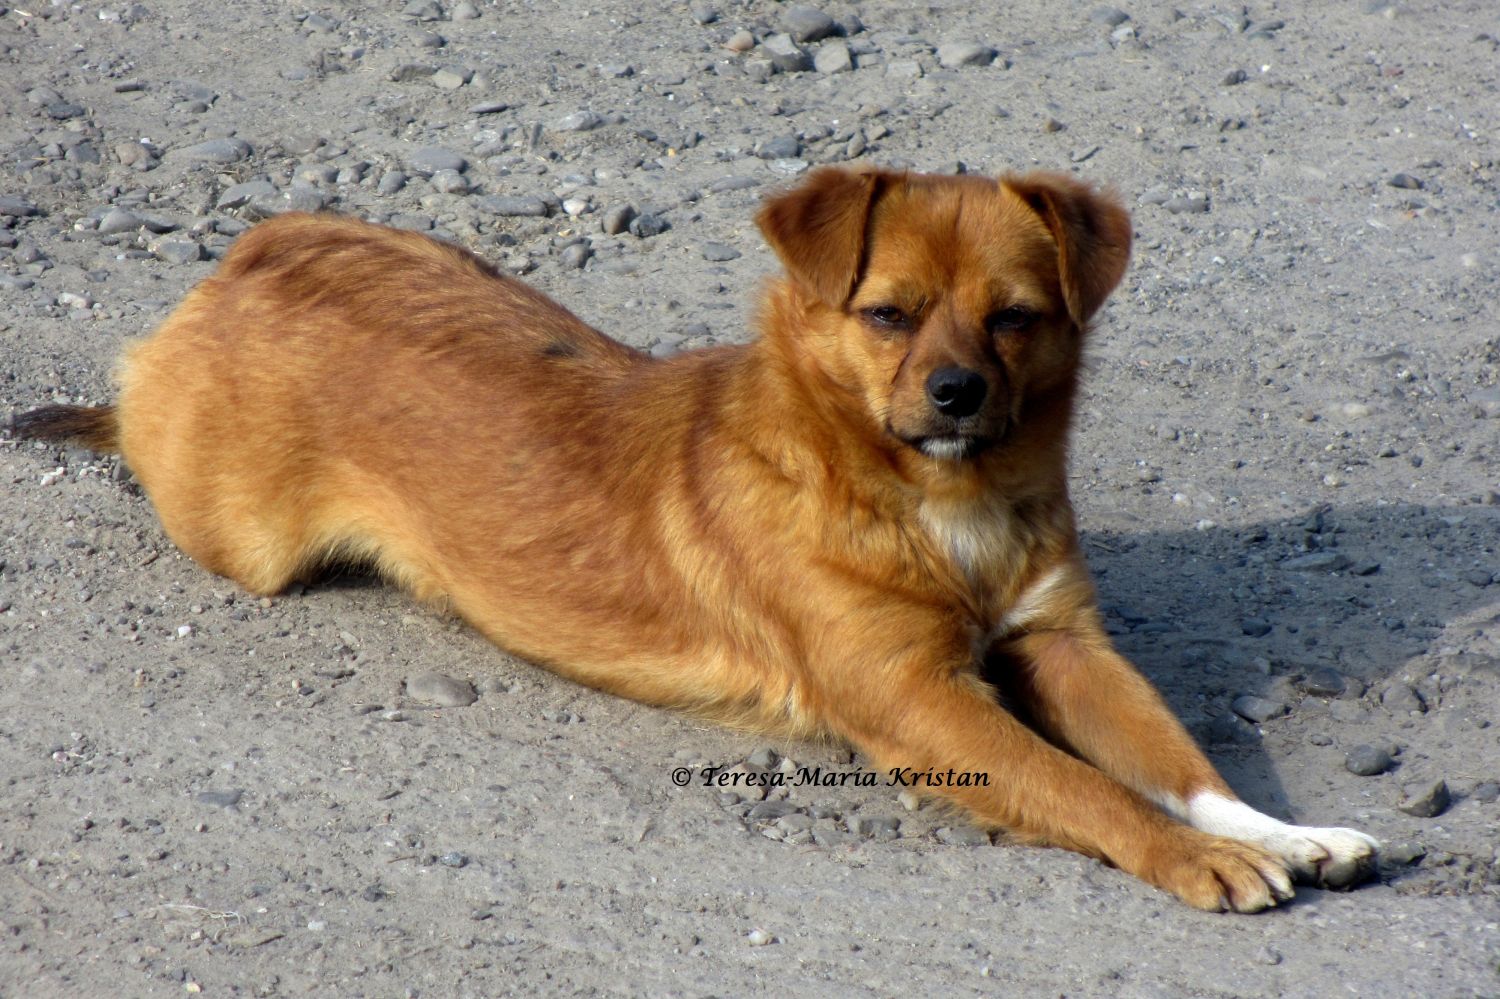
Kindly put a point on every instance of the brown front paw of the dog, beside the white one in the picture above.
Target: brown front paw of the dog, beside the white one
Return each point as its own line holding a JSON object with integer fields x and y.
{"x": 1219, "y": 875}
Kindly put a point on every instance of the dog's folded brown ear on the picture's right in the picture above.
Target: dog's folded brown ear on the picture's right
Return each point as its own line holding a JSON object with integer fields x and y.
{"x": 1093, "y": 233}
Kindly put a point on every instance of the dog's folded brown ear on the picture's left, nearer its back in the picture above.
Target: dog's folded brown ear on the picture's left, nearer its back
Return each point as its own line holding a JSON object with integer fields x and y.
{"x": 818, "y": 229}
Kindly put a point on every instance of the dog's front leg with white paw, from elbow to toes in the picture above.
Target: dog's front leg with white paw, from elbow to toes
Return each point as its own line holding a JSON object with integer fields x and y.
{"x": 1087, "y": 697}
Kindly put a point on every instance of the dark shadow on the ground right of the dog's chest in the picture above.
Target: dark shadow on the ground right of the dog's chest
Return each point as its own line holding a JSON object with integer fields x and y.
{"x": 1213, "y": 616}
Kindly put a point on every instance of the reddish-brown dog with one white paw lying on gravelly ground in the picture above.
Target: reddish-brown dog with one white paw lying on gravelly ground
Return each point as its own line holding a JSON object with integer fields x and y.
{"x": 829, "y": 532}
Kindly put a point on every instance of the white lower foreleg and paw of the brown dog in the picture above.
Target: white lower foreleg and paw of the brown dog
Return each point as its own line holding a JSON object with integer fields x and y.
{"x": 1324, "y": 857}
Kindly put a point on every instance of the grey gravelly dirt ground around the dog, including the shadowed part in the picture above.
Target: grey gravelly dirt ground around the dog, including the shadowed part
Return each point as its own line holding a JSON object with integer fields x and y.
{"x": 1286, "y": 470}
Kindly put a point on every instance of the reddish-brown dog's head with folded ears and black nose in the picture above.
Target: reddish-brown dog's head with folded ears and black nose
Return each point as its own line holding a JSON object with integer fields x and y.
{"x": 949, "y": 305}
